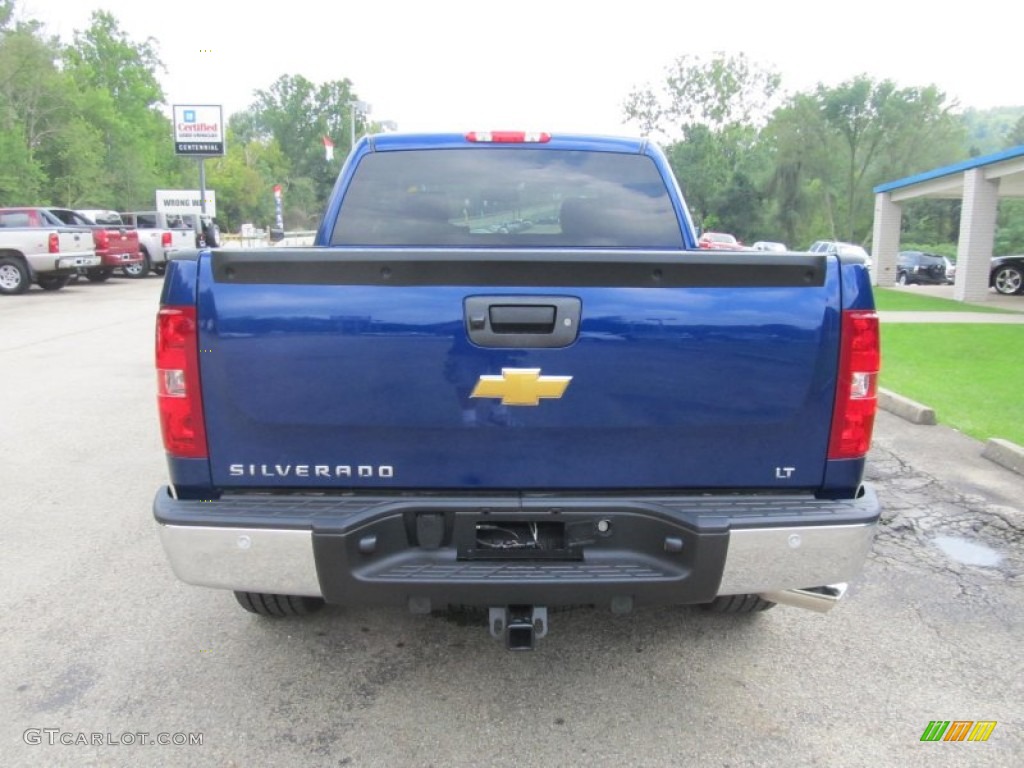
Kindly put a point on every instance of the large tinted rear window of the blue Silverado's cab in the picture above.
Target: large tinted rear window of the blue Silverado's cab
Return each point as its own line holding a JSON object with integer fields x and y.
{"x": 505, "y": 197}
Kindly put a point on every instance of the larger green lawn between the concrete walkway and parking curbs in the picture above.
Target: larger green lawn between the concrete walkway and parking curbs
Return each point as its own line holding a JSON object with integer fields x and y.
{"x": 972, "y": 375}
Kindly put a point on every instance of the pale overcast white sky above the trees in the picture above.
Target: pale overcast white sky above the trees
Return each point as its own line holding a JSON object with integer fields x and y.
{"x": 563, "y": 66}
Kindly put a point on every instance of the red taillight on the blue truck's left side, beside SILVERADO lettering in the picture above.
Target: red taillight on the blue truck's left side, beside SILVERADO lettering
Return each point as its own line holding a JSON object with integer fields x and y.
{"x": 178, "y": 383}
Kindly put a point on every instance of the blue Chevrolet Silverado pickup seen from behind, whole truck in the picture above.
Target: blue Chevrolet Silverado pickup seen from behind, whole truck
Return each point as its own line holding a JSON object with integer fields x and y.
{"x": 505, "y": 377}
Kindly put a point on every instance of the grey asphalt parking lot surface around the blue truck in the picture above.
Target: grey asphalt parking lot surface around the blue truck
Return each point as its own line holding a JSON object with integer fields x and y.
{"x": 100, "y": 638}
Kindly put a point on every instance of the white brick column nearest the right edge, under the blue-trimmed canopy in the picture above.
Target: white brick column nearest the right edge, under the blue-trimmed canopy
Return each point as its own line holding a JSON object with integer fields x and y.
{"x": 982, "y": 201}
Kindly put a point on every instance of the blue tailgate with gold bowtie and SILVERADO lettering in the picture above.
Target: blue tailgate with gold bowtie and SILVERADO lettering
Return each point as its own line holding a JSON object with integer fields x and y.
{"x": 367, "y": 369}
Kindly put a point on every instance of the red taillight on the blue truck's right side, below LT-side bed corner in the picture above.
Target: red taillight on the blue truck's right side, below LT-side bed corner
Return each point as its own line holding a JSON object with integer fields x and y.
{"x": 858, "y": 391}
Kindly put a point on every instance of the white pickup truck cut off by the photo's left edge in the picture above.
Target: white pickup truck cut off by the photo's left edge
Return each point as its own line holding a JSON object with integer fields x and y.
{"x": 48, "y": 257}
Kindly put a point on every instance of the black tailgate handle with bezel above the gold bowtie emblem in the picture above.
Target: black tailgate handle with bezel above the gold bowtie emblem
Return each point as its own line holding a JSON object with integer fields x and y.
{"x": 523, "y": 321}
